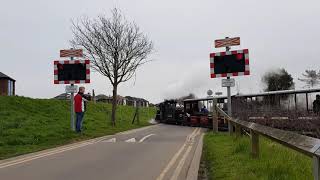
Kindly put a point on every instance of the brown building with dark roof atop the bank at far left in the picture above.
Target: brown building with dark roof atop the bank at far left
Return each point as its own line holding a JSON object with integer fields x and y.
{"x": 7, "y": 85}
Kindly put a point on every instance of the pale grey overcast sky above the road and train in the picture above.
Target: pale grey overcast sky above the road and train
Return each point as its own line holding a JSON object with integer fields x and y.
{"x": 277, "y": 33}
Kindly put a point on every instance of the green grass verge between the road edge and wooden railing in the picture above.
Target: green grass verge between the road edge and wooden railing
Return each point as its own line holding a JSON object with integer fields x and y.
{"x": 229, "y": 158}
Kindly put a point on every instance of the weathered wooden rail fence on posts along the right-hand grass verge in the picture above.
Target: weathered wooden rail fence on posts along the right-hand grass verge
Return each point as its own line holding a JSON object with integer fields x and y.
{"x": 304, "y": 144}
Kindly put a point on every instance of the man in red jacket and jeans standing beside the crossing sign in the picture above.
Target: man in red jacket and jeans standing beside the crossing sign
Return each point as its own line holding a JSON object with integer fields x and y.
{"x": 79, "y": 108}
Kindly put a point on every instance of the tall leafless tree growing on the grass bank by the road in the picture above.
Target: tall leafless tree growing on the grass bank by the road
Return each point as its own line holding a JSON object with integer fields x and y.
{"x": 115, "y": 46}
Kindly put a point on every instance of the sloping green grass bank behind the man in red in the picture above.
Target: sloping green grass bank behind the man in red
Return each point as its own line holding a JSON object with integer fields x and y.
{"x": 29, "y": 125}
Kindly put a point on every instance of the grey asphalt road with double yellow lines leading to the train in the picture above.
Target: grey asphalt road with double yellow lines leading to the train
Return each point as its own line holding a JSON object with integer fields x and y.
{"x": 157, "y": 152}
